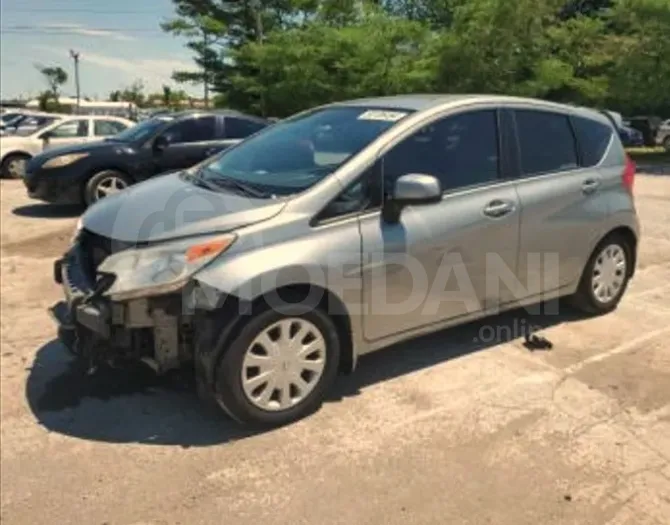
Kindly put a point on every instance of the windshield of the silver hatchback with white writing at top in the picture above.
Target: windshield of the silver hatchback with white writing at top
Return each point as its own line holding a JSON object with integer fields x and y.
{"x": 293, "y": 155}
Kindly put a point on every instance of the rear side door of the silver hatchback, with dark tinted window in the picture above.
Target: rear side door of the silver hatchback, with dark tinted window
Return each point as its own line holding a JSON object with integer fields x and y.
{"x": 560, "y": 192}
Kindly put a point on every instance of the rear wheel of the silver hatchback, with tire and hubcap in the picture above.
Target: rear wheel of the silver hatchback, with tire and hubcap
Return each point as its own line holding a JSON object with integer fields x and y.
{"x": 587, "y": 299}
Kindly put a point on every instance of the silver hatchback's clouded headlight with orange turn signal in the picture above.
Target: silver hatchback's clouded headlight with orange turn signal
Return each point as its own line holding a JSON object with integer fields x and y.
{"x": 161, "y": 269}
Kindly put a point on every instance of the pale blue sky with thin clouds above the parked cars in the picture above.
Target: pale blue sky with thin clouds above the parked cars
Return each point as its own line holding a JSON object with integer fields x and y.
{"x": 119, "y": 42}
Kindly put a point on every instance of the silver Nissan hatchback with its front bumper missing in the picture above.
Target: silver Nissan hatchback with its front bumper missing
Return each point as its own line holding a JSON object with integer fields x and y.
{"x": 333, "y": 233}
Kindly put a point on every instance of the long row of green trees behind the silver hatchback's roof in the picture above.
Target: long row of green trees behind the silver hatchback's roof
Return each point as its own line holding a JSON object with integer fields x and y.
{"x": 276, "y": 57}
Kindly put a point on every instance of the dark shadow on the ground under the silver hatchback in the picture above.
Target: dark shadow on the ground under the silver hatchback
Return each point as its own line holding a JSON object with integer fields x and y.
{"x": 134, "y": 405}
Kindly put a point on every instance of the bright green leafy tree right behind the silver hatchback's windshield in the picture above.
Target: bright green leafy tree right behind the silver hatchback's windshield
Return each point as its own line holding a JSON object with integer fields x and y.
{"x": 319, "y": 63}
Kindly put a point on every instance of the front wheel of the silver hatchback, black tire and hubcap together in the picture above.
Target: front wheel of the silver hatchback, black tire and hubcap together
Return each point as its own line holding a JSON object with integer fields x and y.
{"x": 279, "y": 367}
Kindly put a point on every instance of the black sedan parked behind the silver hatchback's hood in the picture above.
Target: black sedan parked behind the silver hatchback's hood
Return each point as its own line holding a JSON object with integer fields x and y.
{"x": 83, "y": 174}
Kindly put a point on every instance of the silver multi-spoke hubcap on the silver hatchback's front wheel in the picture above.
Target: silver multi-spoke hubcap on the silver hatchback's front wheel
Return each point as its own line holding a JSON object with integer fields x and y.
{"x": 283, "y": 365}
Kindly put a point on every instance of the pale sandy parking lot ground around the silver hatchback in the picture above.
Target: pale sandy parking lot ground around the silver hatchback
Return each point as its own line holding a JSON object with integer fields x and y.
{"x": 446, "y": 430}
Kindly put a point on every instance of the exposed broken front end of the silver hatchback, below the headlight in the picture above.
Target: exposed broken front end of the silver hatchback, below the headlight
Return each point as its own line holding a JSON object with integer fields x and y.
{"x": 155, "y": 330}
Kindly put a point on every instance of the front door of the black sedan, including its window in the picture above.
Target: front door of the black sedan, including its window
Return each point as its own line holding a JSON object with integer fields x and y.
{"x": 191, "y": 140}
